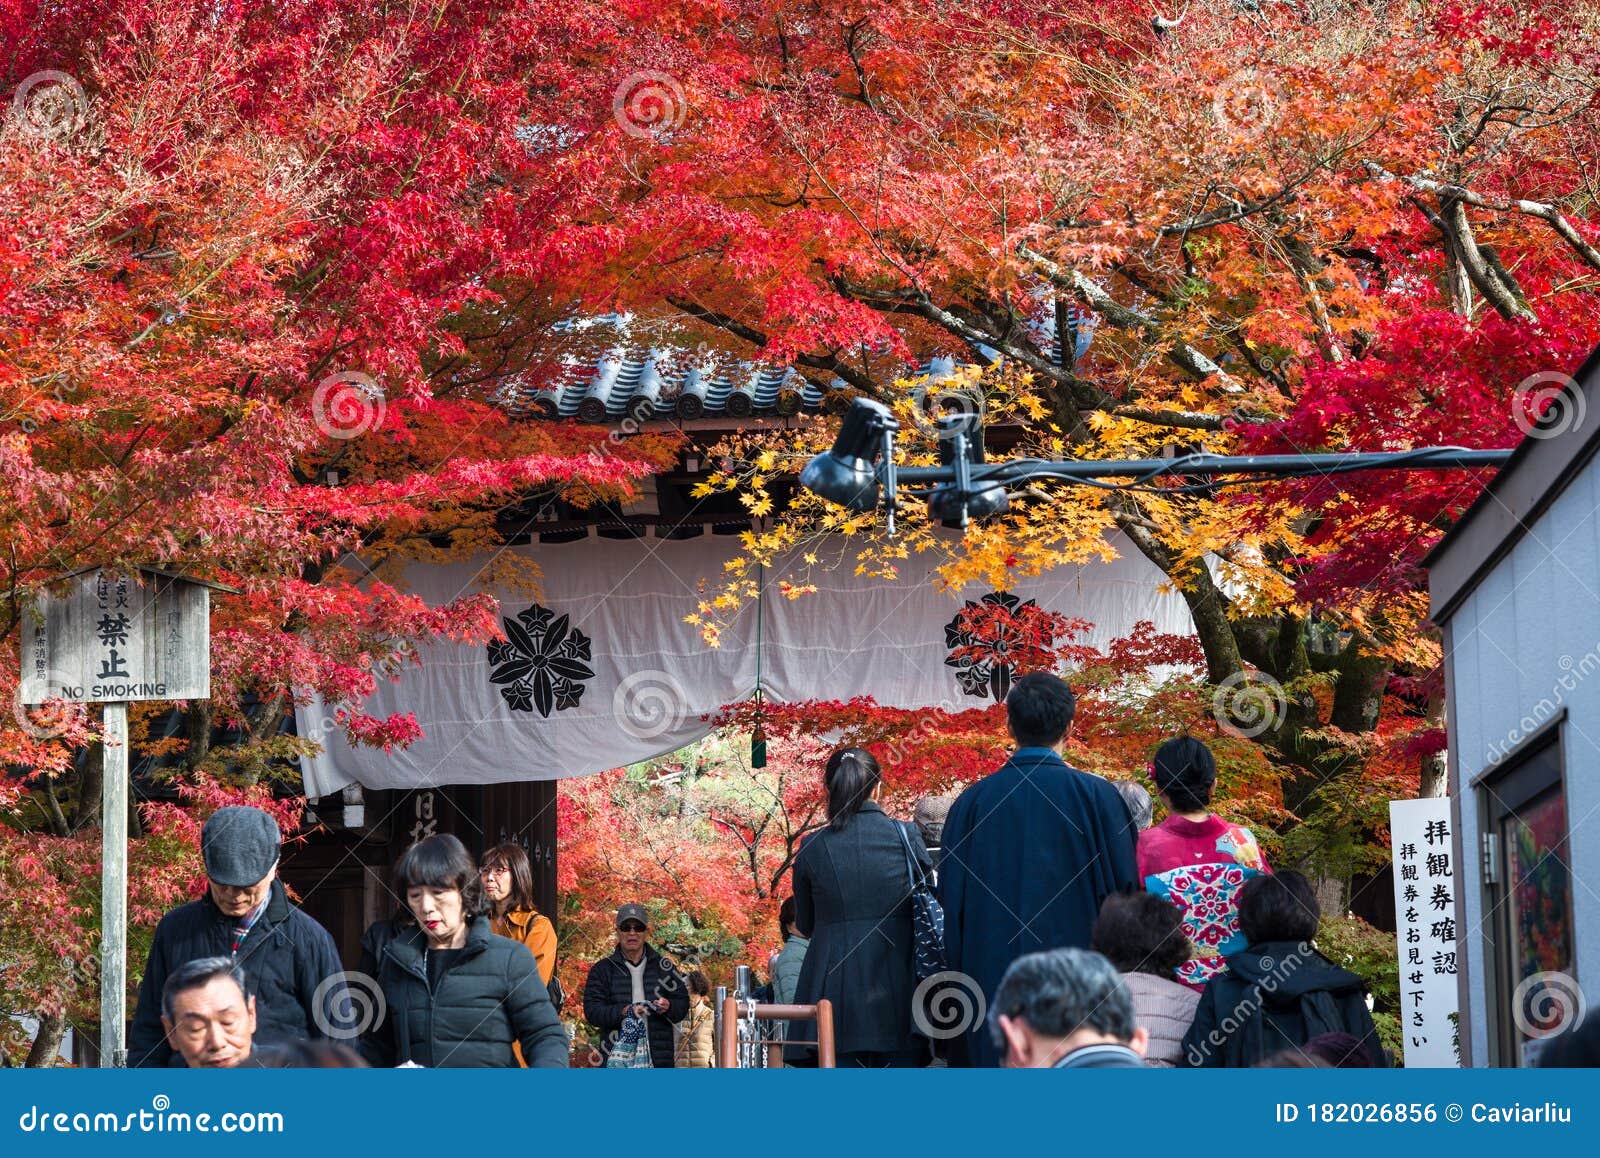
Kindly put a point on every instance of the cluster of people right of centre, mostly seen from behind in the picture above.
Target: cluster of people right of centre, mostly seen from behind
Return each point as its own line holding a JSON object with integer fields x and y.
{"x": 1092, "y": 938}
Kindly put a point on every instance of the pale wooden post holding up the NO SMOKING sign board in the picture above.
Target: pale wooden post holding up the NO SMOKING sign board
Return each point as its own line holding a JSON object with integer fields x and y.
{"x": 114, "y": 890}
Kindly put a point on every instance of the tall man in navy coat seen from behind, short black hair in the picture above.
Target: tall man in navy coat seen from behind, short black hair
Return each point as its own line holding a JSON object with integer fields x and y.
{"x": 1030, "y": 853}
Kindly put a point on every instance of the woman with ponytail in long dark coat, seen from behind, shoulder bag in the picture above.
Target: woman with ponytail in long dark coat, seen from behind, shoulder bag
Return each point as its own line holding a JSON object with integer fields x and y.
{"x": 852, "y": 888}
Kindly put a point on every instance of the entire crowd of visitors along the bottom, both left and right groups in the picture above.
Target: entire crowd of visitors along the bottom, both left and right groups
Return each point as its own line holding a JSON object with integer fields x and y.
{"x": 1084, "y": 936}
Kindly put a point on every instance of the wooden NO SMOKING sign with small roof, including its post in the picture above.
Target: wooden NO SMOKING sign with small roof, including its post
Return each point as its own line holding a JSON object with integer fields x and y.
{"x": 100, "y": 637}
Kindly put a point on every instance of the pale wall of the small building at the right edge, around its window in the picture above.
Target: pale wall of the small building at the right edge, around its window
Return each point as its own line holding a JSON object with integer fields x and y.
{"x": 1524, "y": 645}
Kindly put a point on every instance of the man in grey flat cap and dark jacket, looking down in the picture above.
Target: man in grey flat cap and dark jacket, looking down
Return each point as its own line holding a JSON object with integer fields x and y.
{"x": 289, "y": 960}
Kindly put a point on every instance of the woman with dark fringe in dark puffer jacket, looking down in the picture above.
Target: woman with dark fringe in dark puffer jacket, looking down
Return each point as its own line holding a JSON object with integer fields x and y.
{"x": 454, "y": 992}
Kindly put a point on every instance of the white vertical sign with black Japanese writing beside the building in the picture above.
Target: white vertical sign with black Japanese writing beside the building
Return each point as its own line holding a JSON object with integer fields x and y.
{"x": 1426, "y": 885}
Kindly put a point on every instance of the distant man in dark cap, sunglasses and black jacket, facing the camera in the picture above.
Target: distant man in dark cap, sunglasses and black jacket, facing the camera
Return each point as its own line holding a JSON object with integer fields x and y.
{"x": 636, "y": 978}
